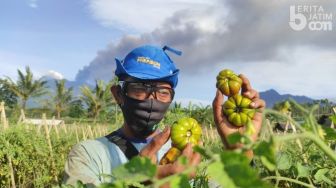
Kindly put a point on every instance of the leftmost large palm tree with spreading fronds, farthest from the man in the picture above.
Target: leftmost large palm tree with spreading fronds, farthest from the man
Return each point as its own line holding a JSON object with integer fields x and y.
{"x": 26, "y": 87}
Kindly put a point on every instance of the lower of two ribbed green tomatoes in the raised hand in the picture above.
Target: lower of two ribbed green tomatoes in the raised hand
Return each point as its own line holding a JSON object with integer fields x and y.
{"x": 237, "y": 110}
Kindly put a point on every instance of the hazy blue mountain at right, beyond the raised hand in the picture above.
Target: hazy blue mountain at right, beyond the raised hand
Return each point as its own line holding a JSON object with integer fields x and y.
{"x": 271, "y": 97}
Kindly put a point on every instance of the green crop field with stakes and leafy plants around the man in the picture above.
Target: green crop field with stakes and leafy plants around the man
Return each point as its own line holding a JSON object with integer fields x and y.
{"x": 302, "y": 155}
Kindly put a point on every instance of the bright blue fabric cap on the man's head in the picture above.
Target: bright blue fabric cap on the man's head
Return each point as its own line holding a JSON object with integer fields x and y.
{"x": 148, "y": 63}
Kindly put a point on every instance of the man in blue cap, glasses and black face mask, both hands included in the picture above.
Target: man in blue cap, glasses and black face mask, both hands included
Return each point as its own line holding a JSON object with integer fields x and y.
{"x": 149, "y": 78}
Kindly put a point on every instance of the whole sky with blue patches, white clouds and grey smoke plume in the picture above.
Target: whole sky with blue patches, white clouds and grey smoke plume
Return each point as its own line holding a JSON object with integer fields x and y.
{"x": 79, "y": 39}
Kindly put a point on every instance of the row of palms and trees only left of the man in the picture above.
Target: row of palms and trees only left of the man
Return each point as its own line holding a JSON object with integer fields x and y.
{"x": 92, "y": 102}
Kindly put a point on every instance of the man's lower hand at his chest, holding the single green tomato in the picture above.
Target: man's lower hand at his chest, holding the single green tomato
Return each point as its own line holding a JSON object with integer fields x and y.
{"x": 166, "y": 170}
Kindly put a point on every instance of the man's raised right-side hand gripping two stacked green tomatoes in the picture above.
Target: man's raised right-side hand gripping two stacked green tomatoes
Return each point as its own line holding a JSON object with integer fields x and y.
{"x": 224, "y": 127}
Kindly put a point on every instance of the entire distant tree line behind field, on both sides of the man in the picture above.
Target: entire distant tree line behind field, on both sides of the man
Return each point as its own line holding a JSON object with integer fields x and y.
{"x": 98, "y": 103}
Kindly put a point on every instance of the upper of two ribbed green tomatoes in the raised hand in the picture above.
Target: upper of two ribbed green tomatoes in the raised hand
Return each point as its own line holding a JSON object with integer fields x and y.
{"x": 228, "y": 82}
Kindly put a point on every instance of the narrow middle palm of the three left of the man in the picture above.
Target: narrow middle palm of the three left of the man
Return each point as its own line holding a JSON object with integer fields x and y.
{"x": 62, "y": 98}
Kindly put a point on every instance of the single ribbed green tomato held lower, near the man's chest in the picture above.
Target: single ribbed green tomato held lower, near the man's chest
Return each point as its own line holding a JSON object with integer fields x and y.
{"x": 185, "y": 130}
